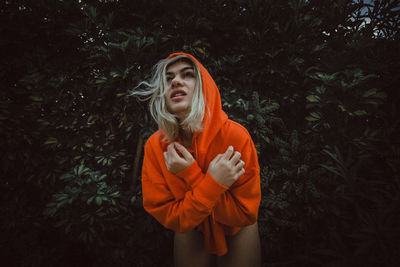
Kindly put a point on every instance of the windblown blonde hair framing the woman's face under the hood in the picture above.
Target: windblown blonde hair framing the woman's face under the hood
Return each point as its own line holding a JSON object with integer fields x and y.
{"x": 156, "y": 90}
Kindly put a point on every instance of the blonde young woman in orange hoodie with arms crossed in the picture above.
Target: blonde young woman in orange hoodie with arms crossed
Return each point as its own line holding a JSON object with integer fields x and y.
{"x": 200, "y": 175}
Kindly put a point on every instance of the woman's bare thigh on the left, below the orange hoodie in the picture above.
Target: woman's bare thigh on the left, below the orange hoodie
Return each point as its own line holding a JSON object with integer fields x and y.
{"x": 189, "y": 250}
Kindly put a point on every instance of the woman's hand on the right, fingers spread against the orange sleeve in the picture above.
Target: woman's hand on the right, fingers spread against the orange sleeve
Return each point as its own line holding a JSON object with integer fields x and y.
{"x": 227, "y": 168}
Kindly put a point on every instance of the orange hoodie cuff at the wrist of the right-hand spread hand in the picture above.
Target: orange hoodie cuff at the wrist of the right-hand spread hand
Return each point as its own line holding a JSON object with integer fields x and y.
{"x": 208, "y": 191}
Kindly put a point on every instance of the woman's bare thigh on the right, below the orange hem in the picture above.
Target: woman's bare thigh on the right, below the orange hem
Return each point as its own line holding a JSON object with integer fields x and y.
{"x": 244, "y": 249}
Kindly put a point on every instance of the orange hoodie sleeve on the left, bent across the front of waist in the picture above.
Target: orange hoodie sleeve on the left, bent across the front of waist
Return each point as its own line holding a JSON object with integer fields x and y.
{"x": 178, "y": 215}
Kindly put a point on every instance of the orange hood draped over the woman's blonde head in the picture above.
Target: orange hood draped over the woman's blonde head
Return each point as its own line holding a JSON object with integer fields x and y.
{"x": 214, "y": 116}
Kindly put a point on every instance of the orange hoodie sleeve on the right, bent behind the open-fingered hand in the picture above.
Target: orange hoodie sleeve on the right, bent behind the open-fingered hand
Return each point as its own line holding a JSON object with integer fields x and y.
{"x": 239, "y": 205}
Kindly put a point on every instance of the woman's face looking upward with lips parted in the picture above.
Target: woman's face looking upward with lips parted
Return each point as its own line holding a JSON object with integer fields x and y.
{"x": 181, "y": 81}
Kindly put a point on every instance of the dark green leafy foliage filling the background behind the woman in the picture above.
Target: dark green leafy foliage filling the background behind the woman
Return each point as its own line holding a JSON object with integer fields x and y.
{"x": 316, "y": 83}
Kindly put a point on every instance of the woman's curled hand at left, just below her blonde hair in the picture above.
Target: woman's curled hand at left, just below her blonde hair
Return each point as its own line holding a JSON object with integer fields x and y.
{"x": 176, "y": 163}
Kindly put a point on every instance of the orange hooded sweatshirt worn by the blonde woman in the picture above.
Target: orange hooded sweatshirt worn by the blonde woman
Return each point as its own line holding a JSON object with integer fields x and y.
{"x": 192, "y": 199}
